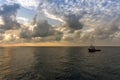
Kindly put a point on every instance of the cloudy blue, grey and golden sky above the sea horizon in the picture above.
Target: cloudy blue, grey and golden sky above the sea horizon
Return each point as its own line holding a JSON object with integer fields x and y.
{"x": 71, "y": 21}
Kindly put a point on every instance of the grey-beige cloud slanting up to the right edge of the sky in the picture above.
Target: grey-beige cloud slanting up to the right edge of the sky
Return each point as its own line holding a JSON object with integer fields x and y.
{"x": 109, "y": 30}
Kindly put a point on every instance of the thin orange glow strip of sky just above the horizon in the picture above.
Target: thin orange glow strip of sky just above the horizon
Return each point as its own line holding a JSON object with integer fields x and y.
{"x": 44, "y": 44}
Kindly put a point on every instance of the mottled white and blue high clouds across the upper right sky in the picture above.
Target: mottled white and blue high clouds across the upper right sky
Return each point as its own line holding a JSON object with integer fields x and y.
{"x": 95, "y": 9}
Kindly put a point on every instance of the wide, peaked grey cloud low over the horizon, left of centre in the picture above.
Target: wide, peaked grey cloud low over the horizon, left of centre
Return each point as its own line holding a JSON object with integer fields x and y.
{"x": 42, "y": 30}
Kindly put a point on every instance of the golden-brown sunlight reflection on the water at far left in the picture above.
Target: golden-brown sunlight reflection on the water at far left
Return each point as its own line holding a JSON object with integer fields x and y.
{"x": 13, "y": 61}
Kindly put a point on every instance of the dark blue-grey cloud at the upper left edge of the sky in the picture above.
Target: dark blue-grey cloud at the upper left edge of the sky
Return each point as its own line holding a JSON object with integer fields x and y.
{"x": 8, "y": 14}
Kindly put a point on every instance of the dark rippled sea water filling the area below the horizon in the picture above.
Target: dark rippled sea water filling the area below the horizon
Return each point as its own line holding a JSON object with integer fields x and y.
{"x": 59, "y": 63}
